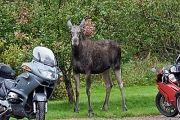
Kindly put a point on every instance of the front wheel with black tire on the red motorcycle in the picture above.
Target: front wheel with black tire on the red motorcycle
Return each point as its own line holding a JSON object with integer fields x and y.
{"x": 165, "y": 107}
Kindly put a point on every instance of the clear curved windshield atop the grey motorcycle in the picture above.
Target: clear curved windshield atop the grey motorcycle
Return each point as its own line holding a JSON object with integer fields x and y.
{"x": 44, "y": 55}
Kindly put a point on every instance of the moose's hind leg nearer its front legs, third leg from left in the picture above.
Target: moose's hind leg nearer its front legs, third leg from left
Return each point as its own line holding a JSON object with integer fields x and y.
{"x": 108, "y": 83}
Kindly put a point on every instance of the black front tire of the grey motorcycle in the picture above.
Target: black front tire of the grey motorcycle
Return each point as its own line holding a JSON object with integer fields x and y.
{"x": 40, "y": 114}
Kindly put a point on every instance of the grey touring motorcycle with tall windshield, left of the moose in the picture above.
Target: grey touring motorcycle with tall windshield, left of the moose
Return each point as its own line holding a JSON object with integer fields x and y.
{"x": 28, "y": 95}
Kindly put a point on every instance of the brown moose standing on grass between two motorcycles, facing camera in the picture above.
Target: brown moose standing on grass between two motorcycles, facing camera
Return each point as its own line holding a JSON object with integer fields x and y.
{"x": 94, "y": 57}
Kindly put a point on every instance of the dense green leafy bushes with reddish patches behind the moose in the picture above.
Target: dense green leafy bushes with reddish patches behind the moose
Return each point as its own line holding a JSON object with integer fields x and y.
{"x": 144, "y": 29}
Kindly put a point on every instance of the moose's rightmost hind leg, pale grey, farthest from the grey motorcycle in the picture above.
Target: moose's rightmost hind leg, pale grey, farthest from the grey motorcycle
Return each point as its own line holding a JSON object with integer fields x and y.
{"x": 120, "y": 83}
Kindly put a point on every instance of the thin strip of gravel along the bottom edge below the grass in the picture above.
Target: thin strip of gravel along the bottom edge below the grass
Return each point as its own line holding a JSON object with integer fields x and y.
{"x": 160, "y": 117}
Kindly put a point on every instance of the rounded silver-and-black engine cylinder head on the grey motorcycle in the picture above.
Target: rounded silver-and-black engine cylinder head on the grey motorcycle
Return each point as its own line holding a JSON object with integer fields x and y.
{"x": 13, "y": 98}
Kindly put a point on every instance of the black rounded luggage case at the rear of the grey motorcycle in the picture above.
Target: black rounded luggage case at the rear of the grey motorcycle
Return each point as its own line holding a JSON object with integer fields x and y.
{"x": 6, "y": 71}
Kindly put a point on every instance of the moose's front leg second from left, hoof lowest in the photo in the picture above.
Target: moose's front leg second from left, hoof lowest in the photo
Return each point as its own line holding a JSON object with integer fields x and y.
{"x": 88, "y": 92}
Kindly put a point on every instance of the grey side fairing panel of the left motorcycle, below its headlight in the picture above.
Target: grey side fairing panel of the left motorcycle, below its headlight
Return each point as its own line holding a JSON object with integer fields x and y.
{"x": 30, "y": 82}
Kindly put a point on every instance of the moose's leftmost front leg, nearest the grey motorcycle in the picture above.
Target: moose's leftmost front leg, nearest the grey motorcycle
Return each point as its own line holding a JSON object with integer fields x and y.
{"x": 77, "y": 83}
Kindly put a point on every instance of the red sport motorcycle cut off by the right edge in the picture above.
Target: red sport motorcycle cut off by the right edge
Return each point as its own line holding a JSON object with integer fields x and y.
{"x": 168, "y": 96}
